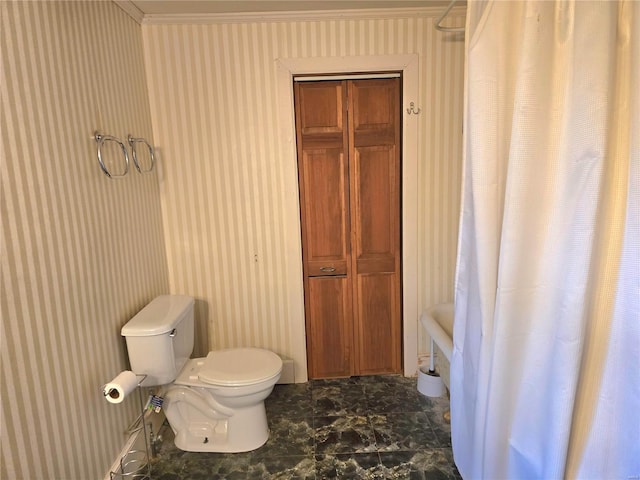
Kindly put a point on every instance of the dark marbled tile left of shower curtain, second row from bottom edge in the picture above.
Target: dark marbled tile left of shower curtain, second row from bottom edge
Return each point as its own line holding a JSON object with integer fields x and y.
{"x": 403, "y": 431}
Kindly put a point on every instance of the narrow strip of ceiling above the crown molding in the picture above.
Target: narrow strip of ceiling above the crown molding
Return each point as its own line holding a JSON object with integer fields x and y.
{"x": 173, "y": 7}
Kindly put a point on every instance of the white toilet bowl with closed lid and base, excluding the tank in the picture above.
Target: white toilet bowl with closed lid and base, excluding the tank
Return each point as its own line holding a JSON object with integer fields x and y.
{"x": 217, "y": 403}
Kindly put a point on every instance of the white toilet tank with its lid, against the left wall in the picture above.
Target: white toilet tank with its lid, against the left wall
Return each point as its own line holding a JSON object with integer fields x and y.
{"x": 160, "y": 338}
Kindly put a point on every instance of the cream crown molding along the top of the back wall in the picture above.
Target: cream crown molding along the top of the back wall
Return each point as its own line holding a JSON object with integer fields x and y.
{"x": 299, "y": 16}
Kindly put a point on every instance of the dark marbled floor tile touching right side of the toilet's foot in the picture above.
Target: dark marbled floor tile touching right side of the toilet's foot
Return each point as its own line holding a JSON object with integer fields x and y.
{"x": 288, "y": 437}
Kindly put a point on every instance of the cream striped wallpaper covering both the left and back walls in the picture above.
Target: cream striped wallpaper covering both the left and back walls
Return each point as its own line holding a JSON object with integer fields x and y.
{"x": 81, "y": 253}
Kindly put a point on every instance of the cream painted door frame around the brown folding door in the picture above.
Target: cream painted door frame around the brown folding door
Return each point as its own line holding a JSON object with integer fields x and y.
{"x": 287, "y": 68}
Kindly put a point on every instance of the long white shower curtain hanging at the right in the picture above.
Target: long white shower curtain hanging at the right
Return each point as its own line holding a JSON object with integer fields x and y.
{"x": 545, "y": 374}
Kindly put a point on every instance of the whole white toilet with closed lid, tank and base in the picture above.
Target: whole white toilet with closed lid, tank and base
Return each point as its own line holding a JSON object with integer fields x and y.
{"x": 214, "y": 404}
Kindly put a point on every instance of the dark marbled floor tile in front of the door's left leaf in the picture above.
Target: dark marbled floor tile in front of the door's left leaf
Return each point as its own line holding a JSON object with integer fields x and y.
{"x": 332, "y": 400}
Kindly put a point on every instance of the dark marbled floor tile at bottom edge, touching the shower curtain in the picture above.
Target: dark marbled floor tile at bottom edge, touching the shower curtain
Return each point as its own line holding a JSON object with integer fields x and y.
{"x": 427, "y": 464}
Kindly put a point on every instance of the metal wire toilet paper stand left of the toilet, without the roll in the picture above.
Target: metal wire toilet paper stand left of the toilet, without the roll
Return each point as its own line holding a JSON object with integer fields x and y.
{"x": 135, "y": 464}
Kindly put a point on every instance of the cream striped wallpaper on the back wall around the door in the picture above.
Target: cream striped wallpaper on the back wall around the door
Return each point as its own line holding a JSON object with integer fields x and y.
{"x": 226, "y": 181}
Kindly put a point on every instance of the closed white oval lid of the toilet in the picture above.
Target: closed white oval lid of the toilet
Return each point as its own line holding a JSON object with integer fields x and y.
{"x": 239, "y": 366}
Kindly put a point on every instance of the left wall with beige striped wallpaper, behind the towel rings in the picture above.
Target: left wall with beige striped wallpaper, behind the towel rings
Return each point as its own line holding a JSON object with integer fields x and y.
{"x": 80, "y": 253}
